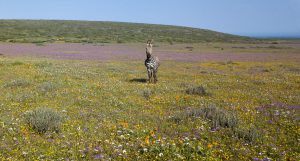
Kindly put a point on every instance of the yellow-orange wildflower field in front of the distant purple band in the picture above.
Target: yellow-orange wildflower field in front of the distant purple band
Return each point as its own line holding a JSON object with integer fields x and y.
{"x": 54, "y": 109}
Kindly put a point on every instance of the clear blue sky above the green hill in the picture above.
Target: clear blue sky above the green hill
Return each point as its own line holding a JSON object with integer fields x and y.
{"x": 243, "y": 17}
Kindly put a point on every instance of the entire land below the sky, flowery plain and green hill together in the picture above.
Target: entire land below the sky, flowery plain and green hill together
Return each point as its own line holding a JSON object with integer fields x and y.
{"x": 77, "y": 90}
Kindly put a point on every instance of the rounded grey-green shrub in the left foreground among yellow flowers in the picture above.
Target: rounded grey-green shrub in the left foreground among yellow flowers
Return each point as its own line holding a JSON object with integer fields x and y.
{"x": 42, "y": 120}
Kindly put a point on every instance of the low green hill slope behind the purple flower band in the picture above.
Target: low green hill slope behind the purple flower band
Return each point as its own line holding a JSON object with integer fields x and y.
{"x": 39, "y": 31}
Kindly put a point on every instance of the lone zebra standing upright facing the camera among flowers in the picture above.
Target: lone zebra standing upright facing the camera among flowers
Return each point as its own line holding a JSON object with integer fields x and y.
{"x": 151, "y": 62}
